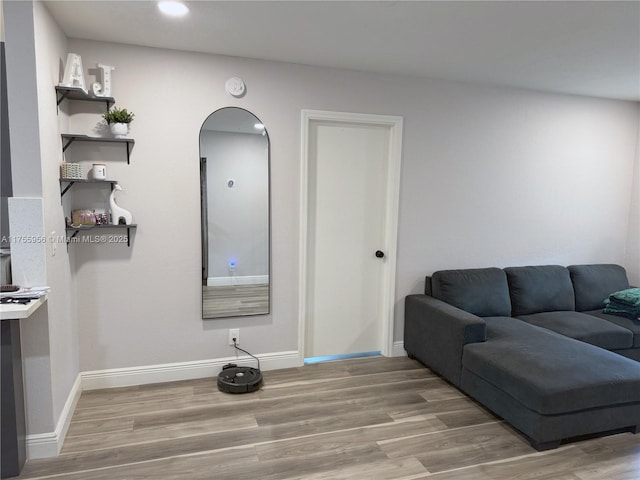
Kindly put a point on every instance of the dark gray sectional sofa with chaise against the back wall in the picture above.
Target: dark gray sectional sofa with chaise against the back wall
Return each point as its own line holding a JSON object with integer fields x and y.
{"x": 532, "y": 345}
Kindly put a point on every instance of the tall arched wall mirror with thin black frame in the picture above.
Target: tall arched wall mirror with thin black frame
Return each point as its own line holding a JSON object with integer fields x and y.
{"x": 234, "y": 186}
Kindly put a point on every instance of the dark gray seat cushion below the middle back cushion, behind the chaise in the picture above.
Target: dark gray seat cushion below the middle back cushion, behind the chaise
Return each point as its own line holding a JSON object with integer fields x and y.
{"x": 583, "y": 327}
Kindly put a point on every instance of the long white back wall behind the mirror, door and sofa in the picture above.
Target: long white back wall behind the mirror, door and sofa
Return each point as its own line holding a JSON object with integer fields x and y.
{"x": 490, "y": 177}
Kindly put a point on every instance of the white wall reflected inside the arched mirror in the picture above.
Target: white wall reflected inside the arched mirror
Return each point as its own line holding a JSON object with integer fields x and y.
{"x": 238, "y": 216}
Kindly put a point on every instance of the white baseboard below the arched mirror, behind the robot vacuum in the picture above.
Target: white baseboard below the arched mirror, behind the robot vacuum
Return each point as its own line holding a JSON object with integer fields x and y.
{"x": 171, "y": 372}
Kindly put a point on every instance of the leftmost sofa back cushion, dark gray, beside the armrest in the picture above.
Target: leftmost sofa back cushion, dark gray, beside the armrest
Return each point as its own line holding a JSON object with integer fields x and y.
{"x": 480, "y": 291}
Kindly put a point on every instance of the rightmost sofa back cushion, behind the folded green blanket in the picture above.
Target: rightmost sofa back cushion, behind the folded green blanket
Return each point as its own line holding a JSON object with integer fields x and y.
{"x": 592, "y": 284}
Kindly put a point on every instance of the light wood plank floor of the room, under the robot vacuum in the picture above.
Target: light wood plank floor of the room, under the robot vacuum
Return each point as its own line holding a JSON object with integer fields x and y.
{"x": 364, "y": 419}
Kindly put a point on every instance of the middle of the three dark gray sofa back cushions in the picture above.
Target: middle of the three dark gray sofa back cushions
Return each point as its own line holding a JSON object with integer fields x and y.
{"x": 536, "y": 289}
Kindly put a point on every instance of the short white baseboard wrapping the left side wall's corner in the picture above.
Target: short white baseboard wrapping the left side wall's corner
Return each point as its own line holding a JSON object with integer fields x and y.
{"x": 47, "y": 445}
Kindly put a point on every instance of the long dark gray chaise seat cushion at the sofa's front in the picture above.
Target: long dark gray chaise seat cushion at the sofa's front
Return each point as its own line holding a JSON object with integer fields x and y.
{"x": 550, "y": 373}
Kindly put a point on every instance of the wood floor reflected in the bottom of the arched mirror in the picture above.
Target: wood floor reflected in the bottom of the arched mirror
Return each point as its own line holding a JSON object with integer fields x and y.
{"x": 234, "y": 300}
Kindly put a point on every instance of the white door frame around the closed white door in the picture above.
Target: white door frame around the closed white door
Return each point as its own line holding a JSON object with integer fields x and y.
{"x": 391, "y": 217}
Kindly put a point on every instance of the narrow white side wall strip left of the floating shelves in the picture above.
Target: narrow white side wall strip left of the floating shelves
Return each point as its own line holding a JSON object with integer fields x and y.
{"x": 51, "y": 52}
